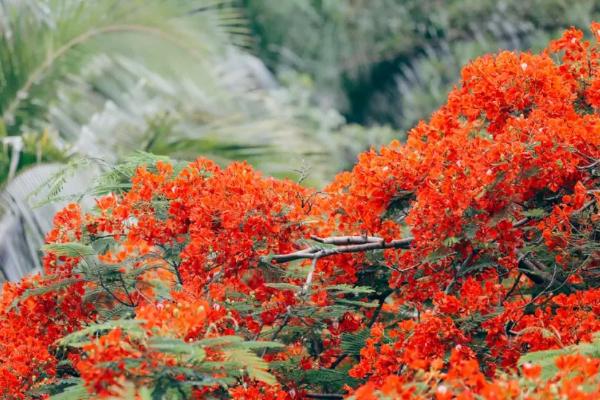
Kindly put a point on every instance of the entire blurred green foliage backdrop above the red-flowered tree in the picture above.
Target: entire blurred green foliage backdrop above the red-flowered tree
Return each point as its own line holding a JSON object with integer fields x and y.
{"x": 283, "y": 84}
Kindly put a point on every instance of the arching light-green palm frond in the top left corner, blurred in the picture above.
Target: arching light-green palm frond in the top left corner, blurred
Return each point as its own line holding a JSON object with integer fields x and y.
{"x": 41, "y": 43}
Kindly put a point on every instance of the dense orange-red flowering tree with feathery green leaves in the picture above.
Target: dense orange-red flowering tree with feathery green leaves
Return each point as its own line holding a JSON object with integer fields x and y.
{"x": 463, "y": 263}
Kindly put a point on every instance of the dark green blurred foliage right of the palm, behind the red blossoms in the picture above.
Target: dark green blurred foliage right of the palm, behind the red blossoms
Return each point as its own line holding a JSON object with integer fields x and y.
{"x": 393, "y": 61}
